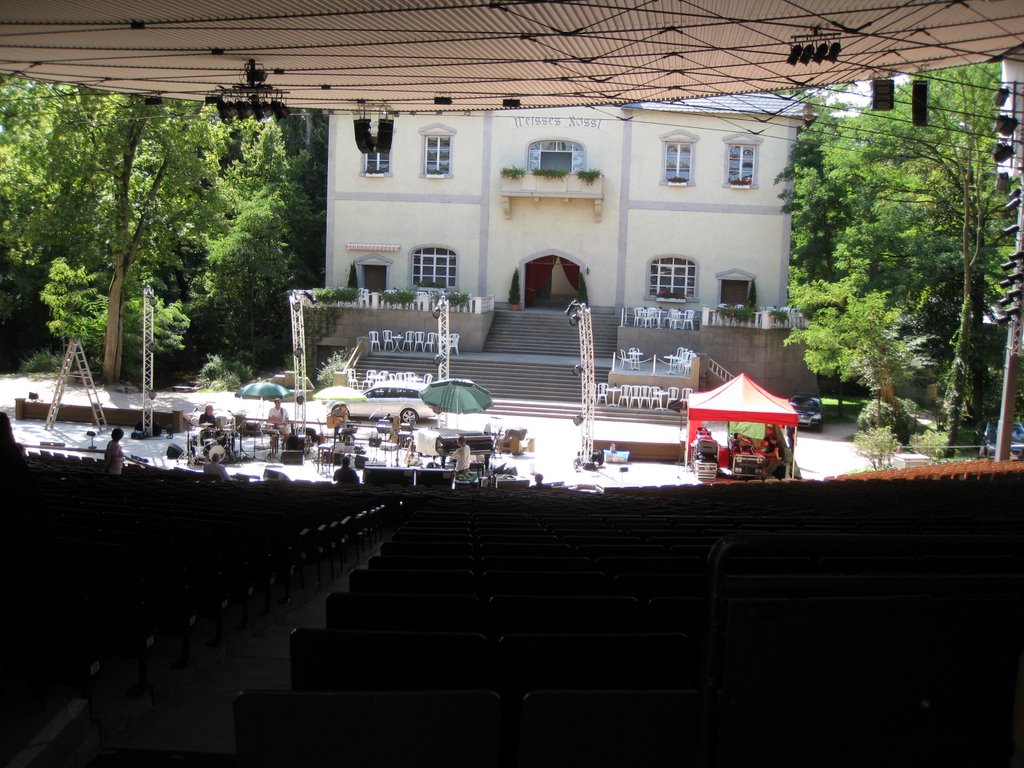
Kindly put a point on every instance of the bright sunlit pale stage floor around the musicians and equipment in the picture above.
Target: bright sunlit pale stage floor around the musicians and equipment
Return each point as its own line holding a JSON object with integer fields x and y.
{"x": 556, "y": 441}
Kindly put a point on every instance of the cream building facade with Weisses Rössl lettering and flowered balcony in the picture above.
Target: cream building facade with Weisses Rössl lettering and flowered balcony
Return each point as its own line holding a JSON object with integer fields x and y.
{"x": 687, "y": 205}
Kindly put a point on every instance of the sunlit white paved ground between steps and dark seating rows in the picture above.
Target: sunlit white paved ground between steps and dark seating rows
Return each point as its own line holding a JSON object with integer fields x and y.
{"x": 819, "y": 455}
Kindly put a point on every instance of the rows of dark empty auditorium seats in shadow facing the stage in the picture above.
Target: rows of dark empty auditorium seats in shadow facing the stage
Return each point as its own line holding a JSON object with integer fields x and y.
{"x": 877, "y": 622}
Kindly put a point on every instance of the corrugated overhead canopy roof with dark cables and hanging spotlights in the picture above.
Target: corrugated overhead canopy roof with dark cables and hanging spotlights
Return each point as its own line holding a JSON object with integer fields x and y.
{"x": 404, "y": 55}
